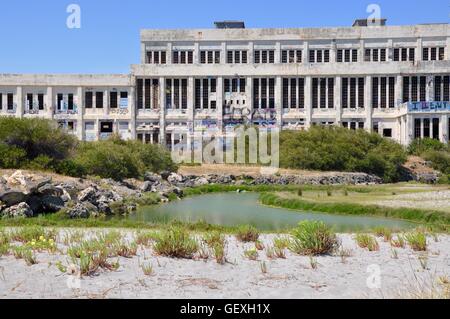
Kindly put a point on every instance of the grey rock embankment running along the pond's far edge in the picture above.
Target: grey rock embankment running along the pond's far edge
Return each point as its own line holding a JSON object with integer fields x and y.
{"x": 28, "y": 194}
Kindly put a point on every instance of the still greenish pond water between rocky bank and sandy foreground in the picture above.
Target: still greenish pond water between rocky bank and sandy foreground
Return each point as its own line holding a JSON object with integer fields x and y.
{"x": 231, "y": 209}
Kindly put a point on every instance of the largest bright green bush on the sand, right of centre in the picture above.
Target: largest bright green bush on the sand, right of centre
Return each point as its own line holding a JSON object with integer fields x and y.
{"x": 313, "y": 238}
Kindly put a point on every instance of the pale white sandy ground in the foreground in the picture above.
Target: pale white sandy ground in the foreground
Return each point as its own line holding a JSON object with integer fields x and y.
{"x": 291, "y": 278}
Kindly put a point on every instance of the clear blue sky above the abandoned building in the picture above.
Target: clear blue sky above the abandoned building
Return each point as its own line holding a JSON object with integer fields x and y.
{"x": 34, "y": 37}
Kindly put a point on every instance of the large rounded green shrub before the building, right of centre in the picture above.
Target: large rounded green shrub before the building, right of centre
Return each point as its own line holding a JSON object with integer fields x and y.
{"x": 340, "y": 149}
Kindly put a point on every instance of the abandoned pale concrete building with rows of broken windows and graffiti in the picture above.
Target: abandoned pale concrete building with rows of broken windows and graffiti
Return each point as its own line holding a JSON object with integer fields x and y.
{"x": 394, "y": 80}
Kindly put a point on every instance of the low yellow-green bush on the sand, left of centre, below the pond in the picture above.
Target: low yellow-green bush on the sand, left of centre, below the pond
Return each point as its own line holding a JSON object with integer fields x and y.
{"x": 177, "y": 243}
